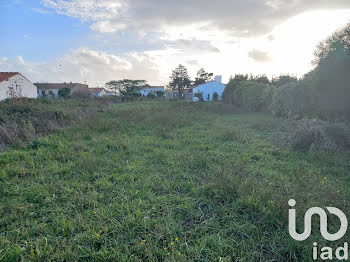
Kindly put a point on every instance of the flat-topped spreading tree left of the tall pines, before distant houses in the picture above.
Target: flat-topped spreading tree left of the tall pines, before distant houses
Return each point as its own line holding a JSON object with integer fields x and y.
{"x": 127, "y": 87}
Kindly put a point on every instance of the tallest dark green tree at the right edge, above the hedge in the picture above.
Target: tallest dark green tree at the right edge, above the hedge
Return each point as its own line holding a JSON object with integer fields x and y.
{"x": 332, "y": 67}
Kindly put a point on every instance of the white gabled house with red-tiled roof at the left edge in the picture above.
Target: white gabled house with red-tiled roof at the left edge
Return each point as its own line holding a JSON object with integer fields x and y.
{"x": 13, "y": 84}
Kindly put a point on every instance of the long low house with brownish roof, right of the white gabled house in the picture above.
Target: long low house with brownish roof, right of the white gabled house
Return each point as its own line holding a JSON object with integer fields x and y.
{"x": 51, "y": 89}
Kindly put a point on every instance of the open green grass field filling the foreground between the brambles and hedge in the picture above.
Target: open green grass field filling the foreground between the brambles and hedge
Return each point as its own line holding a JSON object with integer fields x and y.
{"x": 164, "y": 181}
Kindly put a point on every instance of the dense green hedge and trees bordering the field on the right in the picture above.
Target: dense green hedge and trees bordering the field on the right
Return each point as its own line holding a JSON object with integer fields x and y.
{"x": 324, "y": 92}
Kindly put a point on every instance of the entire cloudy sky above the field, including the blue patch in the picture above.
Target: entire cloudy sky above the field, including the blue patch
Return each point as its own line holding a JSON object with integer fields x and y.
{"x": 95, "y": 41}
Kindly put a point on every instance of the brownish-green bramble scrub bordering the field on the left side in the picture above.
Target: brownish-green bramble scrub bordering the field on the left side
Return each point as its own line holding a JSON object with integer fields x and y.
{"x": 23, "y": 120}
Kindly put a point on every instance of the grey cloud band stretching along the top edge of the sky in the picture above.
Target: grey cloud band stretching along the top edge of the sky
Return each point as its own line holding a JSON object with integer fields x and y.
{"x": 239, "y": 17}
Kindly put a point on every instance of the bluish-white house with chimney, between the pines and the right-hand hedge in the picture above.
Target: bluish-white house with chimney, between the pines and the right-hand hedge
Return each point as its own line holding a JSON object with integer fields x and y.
{"x": 208, "y": 89}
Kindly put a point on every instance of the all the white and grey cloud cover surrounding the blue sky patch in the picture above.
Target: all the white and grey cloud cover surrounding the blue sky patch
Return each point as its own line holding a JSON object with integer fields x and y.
{"x": 217, "y": 36}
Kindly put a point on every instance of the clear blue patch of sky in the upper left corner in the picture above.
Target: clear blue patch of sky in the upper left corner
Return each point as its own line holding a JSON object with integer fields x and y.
{"x": 37, "y": 36}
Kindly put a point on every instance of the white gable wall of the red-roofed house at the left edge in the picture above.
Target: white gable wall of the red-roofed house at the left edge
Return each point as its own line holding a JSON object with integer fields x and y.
{"x": 26, "y": 89}
